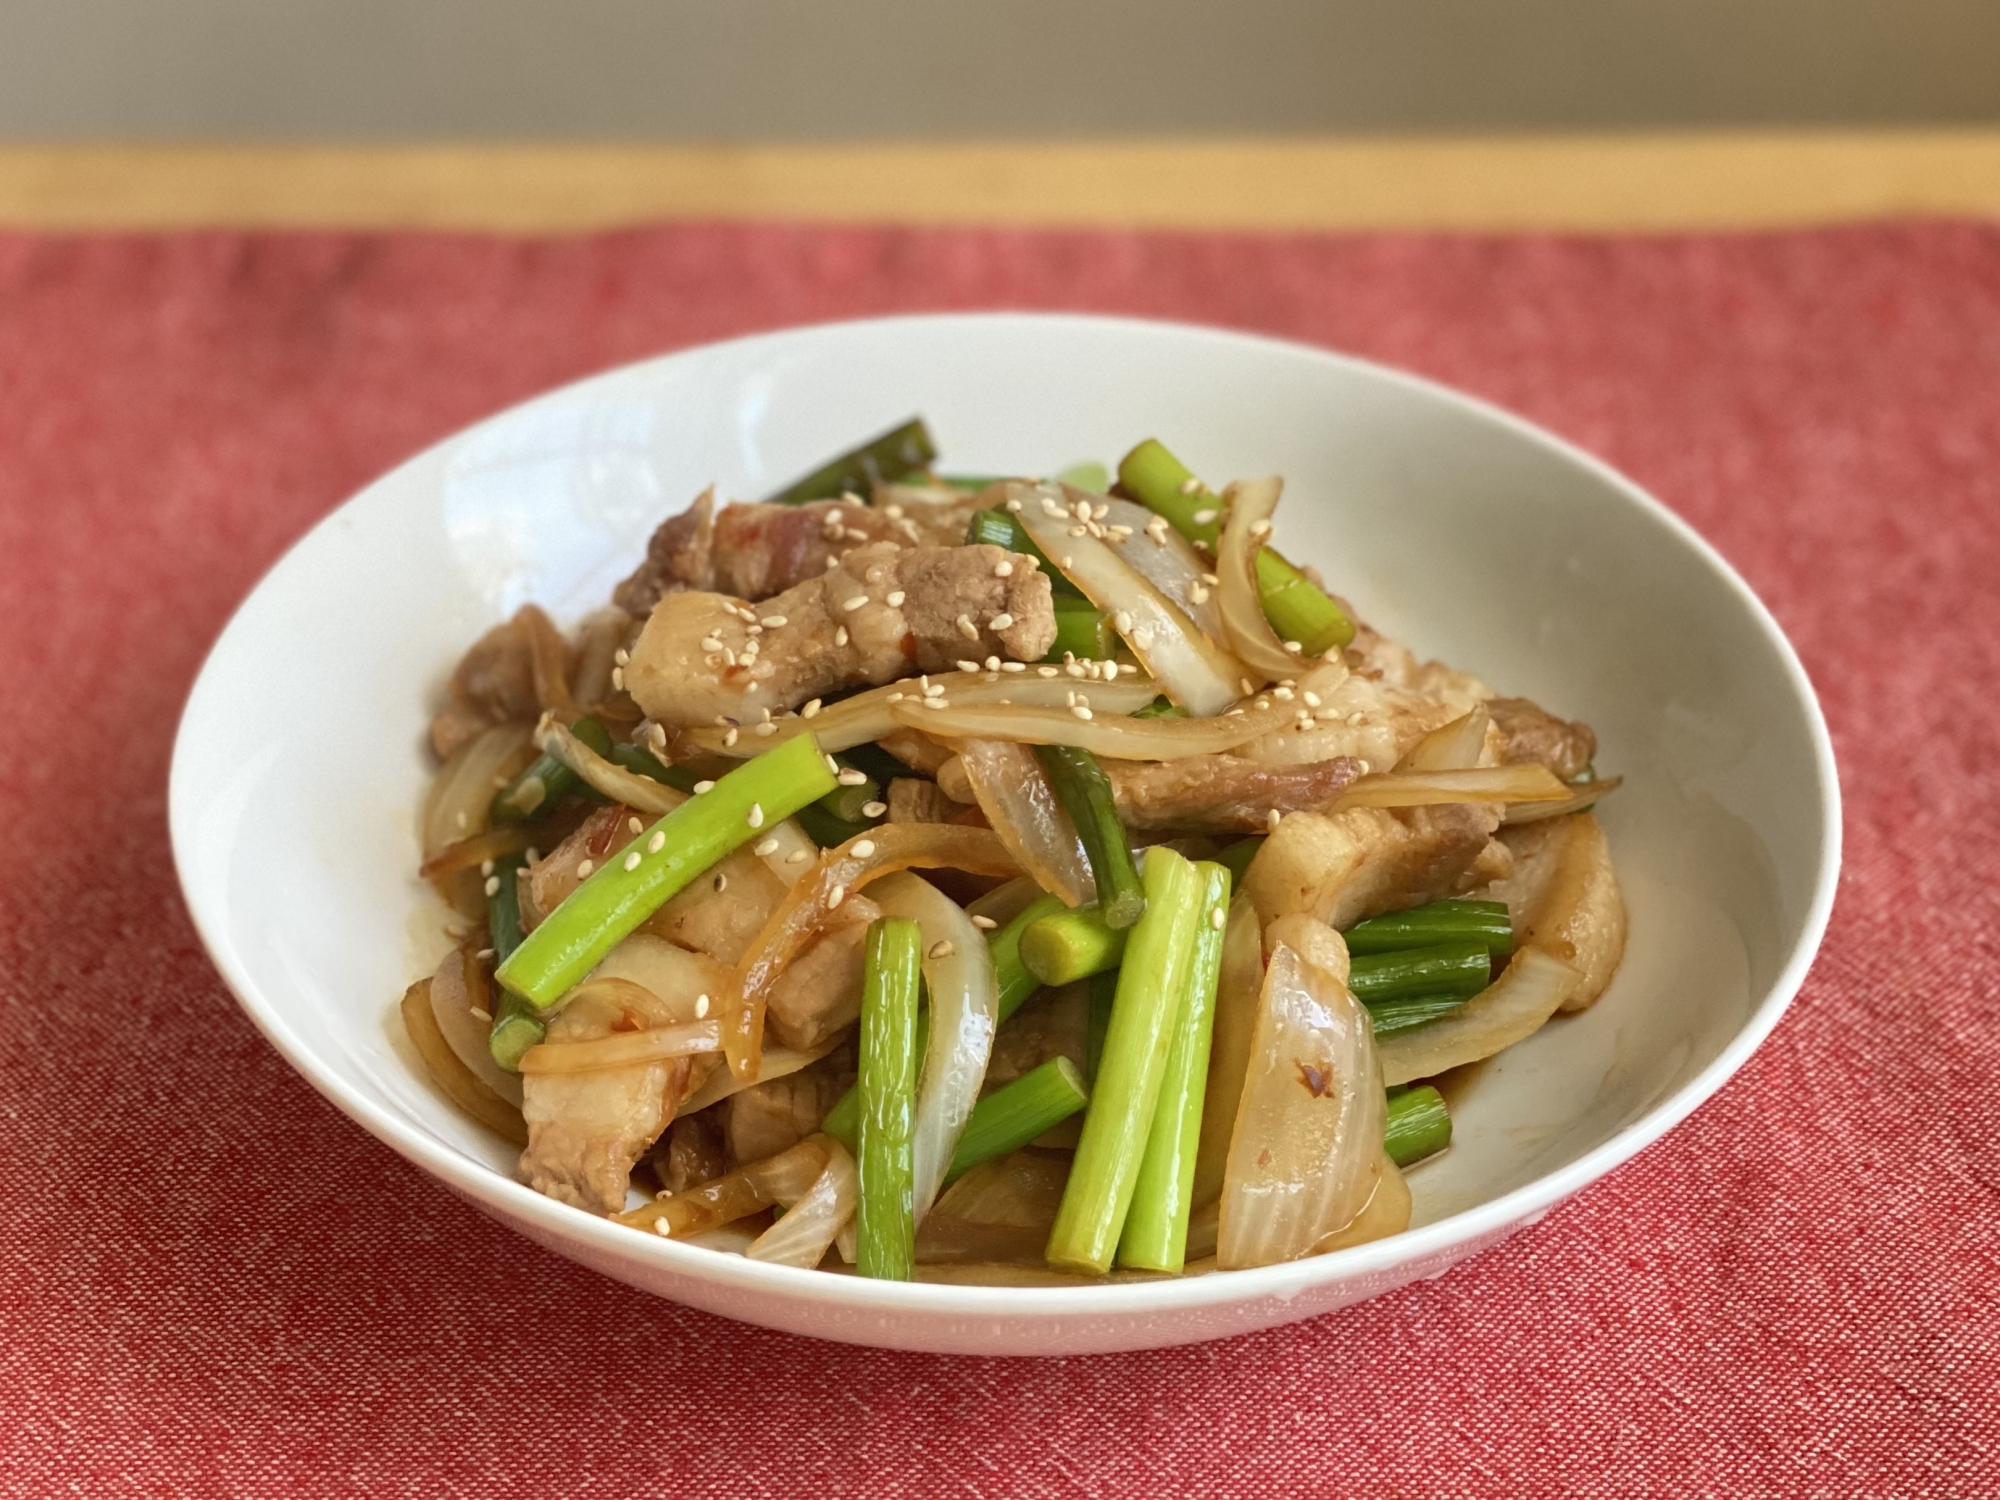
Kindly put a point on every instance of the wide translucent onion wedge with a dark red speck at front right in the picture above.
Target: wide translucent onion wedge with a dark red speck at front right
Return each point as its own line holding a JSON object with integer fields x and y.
{"x": 1307, "y": 1151}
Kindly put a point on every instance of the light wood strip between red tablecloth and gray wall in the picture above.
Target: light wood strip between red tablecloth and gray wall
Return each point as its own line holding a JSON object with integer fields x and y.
{"x": 1553, "y": 183}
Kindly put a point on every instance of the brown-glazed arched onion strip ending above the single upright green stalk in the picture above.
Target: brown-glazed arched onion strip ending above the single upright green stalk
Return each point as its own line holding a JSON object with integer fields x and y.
{"x": 805, "y": 913}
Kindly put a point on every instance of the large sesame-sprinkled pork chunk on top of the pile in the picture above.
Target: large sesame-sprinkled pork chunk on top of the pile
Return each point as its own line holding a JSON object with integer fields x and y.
{"x": 879, "y": 615}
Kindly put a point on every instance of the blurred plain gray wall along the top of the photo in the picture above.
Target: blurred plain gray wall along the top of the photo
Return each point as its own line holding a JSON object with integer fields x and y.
{"x": 977, "y": 69}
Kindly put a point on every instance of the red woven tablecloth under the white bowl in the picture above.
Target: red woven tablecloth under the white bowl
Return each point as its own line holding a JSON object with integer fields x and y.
{"x": 215, "y": 1285}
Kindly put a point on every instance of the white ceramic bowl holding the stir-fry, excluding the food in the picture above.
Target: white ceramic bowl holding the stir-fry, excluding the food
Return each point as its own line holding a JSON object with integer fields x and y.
{"x": 1465, "y": 531}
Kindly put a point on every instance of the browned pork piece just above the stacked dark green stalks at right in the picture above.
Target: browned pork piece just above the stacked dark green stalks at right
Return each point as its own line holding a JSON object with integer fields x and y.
{"x": 1345, "y": 867}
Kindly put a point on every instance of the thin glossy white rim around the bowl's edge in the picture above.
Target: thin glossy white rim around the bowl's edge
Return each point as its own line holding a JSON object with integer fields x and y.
{"x": 1433, "y": 1243}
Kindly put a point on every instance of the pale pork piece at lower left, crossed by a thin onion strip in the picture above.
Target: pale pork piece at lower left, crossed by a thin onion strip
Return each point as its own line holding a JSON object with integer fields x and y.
{"x": 589, "y": 1129}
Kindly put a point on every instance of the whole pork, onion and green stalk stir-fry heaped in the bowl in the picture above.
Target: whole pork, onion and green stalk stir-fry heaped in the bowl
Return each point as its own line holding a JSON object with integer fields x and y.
{"x": 993, "y": 879}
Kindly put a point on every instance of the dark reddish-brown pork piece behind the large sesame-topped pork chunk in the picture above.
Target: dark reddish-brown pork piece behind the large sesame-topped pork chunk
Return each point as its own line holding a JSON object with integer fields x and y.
{"x": 755, "y": 551}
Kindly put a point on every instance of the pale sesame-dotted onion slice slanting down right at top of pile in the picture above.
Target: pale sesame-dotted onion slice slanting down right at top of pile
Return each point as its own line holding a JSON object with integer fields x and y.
{"x": 1191, "y": 669}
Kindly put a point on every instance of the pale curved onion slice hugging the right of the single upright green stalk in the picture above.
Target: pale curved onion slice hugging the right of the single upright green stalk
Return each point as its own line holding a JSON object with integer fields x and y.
{"x": 965, "y": 1009}
